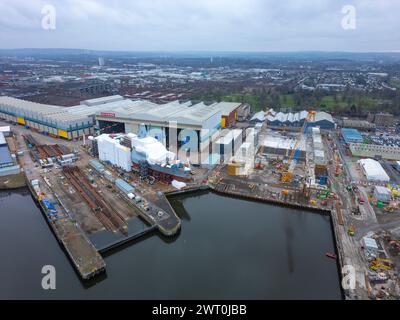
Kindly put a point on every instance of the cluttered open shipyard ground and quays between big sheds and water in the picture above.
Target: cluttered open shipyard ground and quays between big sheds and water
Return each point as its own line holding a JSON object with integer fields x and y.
{"x": 103, "y": 181}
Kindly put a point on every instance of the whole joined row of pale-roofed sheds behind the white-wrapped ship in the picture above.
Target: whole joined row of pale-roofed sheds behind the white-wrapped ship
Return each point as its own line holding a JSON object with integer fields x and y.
{"x": 114, "y": 114}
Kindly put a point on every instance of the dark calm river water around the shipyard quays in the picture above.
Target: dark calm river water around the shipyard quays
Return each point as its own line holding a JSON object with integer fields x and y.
{"x": 227, "y": 249}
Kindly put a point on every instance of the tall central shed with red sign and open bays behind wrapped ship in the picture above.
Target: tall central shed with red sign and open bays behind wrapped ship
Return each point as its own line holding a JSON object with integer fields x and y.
{"x": 199, "y": 121}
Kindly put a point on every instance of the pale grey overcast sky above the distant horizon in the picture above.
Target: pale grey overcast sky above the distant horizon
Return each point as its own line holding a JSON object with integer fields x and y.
{"x": 210, "y": 25}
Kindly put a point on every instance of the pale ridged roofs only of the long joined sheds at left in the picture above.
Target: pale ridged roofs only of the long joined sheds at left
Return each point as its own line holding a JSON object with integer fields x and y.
{"x": 181, "y": 112}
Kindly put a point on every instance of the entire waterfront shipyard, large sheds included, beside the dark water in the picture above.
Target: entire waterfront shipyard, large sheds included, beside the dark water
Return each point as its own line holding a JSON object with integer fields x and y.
{"x": 96, "y": 166}
